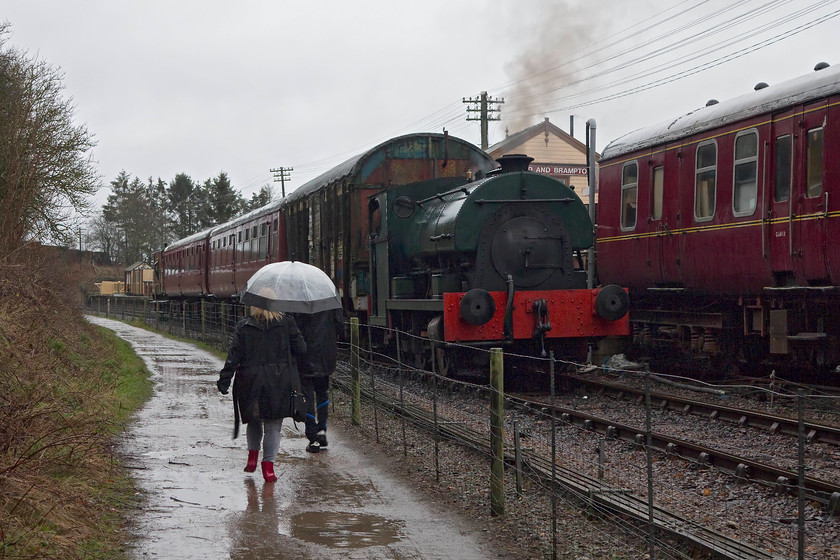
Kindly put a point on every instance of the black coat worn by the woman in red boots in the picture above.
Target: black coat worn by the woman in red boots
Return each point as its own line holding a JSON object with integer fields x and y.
{"x": 262, "y": 367}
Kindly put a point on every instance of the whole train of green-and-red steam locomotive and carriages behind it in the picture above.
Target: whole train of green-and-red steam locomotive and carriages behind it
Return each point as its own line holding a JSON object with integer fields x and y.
{"x": 424, "y": 234}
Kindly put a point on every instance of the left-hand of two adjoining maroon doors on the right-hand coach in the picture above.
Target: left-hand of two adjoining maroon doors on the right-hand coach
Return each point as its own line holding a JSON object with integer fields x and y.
{"x": 776, "y": 198}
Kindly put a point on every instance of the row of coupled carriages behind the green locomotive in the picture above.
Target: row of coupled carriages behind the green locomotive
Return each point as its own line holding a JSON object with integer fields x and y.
{"x": 324, "y": 222}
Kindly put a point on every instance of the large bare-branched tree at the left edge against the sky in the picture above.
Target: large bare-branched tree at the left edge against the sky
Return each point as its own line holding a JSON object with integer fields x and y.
{"x": 46, "y": 171}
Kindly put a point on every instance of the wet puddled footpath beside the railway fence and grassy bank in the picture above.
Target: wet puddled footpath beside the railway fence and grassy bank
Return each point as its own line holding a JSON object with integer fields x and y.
{"x": 200, "y": 504}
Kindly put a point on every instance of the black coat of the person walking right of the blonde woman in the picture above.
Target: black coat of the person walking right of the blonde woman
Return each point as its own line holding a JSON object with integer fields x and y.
{"x": 320, "y": 330}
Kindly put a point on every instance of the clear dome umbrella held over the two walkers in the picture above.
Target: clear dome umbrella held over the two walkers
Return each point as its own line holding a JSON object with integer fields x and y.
{"x": 291, "y": 286}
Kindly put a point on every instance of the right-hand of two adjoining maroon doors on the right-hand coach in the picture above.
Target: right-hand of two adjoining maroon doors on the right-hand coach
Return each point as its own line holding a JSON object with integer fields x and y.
{"x": 810, "y": 196}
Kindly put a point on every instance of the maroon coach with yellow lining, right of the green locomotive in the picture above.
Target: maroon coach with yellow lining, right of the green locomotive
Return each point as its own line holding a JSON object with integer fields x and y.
{"x": 722, "y": 224}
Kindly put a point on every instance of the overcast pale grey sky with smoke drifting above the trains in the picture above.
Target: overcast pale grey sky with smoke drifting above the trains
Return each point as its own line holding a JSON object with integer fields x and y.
{"x": 203, "y": 86}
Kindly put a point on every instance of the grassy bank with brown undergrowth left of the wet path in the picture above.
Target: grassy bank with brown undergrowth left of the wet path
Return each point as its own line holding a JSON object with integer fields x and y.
{"x": 66, "y": 393}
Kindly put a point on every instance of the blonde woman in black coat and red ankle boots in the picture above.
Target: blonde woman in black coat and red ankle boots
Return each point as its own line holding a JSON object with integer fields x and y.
{"x": 260, "y": 363}
